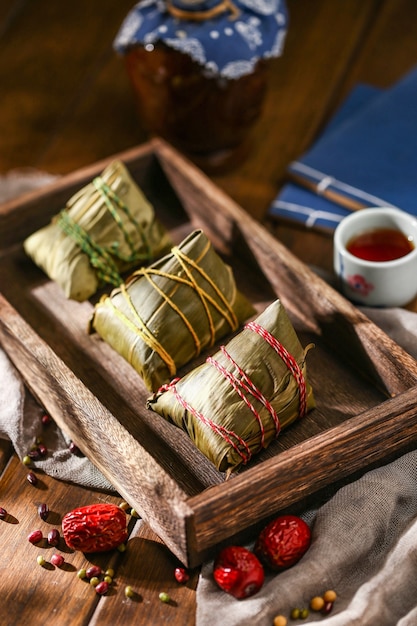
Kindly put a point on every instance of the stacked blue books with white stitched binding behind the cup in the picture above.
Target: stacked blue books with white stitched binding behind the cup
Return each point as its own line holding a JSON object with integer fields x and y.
{"x": 367, "y": 155}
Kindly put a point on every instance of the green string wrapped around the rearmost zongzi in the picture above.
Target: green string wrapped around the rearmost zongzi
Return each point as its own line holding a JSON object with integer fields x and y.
{"x": 102, "y": 258}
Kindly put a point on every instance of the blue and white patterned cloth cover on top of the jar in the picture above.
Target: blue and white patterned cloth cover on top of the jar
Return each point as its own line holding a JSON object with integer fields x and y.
{"x": 226, "y": 37}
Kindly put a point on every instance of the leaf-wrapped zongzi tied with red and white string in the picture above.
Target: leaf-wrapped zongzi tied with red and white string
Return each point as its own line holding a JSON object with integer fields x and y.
{"x": 233, "y": 405}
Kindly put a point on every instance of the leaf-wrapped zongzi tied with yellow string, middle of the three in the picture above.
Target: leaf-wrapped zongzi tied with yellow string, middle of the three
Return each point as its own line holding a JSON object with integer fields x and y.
{"x": 167, "y": 313}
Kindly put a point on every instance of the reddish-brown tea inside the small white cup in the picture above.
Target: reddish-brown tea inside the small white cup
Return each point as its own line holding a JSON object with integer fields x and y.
{"x": 382, "y": 244}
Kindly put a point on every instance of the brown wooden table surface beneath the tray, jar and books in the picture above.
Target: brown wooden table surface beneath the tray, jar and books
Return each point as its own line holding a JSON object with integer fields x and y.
{"x": 66, "y": 102}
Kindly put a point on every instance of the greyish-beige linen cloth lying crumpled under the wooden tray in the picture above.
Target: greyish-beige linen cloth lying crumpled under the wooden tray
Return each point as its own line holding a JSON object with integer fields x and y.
{"x": 364, "y": 536}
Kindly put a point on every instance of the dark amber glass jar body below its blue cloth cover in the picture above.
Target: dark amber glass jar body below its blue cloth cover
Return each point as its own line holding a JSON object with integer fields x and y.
{"x": 208, "y": 117}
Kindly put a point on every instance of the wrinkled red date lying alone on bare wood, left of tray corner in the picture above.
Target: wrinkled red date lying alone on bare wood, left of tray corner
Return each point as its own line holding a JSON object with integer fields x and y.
{"x": 95, "y": 528}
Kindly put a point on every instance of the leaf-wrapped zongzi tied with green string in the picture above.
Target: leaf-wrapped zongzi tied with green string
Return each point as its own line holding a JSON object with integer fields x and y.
{"x": 106, "y": 229}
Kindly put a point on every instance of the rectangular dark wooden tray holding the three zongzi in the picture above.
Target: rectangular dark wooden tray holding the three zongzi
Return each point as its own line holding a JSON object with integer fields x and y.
{"x": 365, "y": 384}
